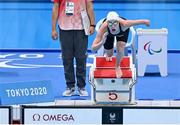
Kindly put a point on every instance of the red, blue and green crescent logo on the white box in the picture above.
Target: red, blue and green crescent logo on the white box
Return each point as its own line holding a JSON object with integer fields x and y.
{"x": 148, "y": 48}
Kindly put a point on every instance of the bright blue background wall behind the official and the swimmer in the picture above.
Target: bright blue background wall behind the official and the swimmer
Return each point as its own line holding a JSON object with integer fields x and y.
{"x": 28, "y": 25}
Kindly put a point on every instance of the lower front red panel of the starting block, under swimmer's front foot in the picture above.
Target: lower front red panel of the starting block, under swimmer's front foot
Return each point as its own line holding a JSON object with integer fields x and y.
{"x": 111, "y": 73}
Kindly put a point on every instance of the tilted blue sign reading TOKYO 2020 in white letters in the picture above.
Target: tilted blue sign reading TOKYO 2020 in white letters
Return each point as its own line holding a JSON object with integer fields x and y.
{"x": 26, "y": 92}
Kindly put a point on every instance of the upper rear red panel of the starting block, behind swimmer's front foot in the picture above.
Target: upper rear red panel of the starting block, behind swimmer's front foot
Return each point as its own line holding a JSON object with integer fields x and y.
{"x": 101, "y": 62}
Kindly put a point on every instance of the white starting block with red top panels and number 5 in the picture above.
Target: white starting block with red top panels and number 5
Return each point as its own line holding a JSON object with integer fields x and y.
{"x": 106, "y": 88}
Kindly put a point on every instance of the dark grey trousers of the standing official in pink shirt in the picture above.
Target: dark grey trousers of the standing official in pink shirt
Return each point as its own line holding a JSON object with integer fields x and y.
{"x": 74, "y": 45}
